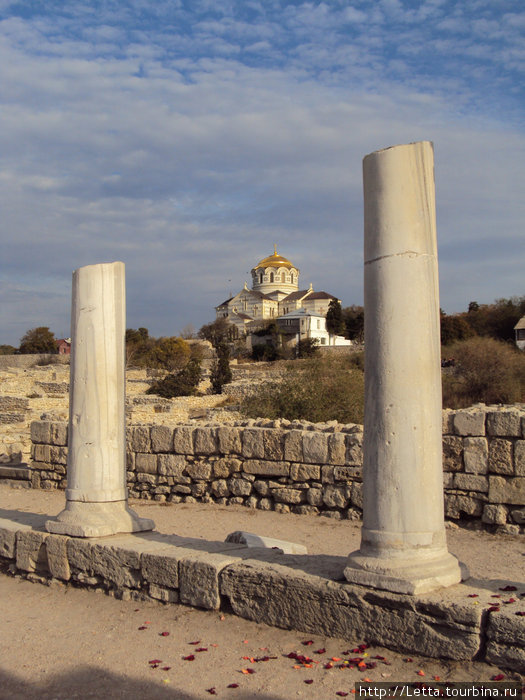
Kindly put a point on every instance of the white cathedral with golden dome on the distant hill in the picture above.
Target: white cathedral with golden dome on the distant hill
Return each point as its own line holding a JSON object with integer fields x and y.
{"x": 275, "y": 295}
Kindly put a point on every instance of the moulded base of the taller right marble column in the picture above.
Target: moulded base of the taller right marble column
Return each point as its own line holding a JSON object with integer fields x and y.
{"x": 411, "y": 574}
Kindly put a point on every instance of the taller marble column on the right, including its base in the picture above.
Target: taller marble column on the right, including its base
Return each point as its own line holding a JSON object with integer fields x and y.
{"x": 403, "y": 543}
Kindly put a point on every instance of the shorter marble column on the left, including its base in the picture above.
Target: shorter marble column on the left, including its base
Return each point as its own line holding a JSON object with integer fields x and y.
{"x": 96, "y": 496}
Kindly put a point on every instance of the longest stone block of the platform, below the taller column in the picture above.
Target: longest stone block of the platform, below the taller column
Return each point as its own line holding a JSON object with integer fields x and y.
{"x": 290, "y": 598}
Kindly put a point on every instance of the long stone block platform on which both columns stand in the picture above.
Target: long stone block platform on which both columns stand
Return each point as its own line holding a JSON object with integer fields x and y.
{"x": 307, "y": 593}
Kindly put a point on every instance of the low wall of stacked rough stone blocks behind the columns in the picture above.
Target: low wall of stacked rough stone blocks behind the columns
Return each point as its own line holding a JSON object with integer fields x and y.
{"x": 301, "y": 467}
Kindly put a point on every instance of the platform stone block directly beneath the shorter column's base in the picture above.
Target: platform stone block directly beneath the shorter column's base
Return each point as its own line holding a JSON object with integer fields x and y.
{"x": 112, "y": 563}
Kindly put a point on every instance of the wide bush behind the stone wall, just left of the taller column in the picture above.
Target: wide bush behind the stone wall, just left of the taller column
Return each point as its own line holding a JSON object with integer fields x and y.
{"x": 317, "y": 389}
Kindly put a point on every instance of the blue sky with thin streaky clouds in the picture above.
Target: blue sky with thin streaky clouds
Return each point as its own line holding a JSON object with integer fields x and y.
{"x": 186, "y": 137}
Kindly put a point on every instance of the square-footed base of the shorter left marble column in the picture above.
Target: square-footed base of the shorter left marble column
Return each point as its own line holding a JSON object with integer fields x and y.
{"x": 83, "y": 519}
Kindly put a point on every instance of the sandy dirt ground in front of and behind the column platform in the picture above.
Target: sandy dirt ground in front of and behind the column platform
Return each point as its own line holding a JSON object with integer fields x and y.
{"x": 60, "y": 642}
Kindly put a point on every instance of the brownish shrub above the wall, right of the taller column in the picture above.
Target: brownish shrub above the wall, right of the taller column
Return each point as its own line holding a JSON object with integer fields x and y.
{"x": 486, "y": 370}
